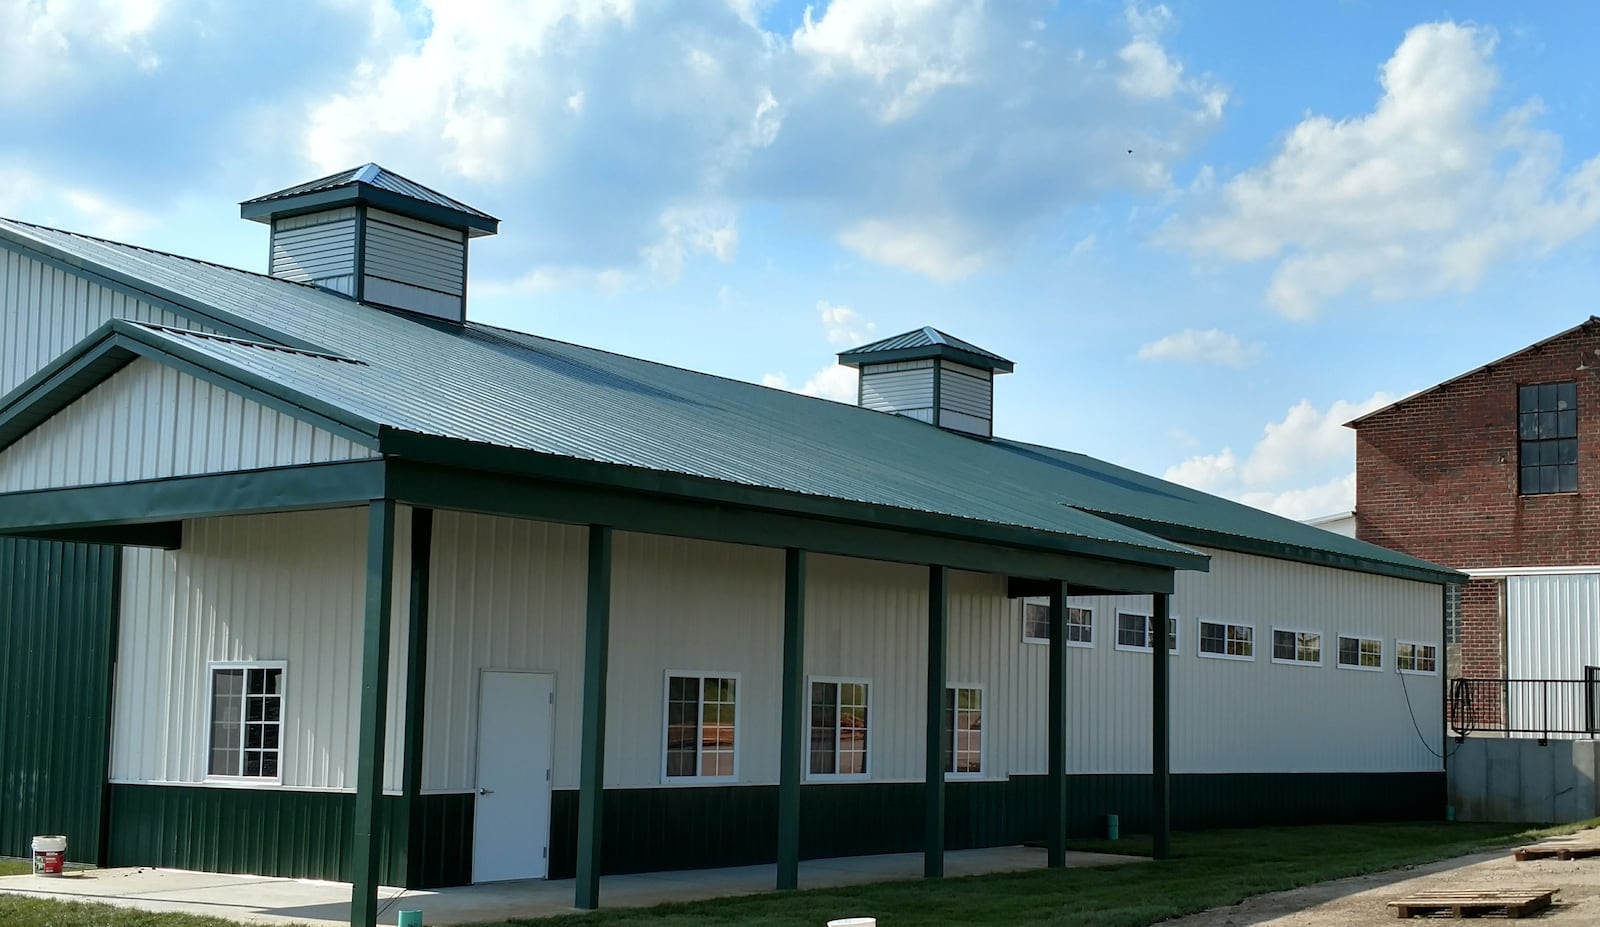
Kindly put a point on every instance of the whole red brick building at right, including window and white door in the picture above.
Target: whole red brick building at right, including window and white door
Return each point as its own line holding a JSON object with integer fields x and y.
{"x": 1497, "y": 473}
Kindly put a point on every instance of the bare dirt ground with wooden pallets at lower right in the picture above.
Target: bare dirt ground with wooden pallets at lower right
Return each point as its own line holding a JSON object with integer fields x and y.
{"x": 1364, "y": 901}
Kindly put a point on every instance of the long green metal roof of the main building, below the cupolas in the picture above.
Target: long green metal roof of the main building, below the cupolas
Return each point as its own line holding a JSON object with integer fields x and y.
{"x": 414, "y": 382}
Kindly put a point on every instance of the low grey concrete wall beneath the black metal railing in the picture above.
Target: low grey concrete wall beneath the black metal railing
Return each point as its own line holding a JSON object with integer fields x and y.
{"x": 1519, "y": 781}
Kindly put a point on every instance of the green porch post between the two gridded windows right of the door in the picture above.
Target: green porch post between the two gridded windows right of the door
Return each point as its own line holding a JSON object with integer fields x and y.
{"x": 794, "y": 705}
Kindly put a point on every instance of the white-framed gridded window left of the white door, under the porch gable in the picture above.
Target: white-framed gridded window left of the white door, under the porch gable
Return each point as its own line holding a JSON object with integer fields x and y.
{"x": 247, "y": 721}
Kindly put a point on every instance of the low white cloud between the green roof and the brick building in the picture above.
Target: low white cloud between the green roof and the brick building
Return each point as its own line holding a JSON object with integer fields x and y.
{"x": 1302, "y": 468}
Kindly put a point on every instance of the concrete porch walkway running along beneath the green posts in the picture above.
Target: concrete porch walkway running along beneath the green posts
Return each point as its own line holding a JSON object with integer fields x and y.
{"x": 260, "y": 901}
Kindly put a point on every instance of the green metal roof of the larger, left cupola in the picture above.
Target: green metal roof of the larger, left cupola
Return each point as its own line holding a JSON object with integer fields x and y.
{"x": 377, "y": 187}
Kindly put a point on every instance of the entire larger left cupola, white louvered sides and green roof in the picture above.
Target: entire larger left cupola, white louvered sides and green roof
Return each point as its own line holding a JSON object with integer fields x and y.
{"x": 374, "y": 236}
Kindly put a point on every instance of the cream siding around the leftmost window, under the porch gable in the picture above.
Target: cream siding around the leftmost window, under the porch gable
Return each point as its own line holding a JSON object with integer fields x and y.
{"x": 271, "y": 588}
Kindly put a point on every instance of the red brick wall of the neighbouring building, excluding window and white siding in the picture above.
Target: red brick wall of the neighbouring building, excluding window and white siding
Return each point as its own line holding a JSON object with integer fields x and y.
{"x": 1438, "y": 478}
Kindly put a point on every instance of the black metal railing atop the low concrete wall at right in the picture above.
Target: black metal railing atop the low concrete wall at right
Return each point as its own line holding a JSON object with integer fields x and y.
{"x": 1542, "y": 708}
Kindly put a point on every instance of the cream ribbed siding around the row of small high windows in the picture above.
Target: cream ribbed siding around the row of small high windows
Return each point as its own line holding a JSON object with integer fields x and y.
{"x": 1258, "y": 716}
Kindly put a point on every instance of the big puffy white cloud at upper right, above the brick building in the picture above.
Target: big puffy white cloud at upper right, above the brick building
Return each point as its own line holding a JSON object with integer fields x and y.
{"x": 1420, "y": 196}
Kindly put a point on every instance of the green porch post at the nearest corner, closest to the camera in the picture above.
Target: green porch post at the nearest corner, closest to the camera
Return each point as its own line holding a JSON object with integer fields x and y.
{"x": 375, "y": 702}
